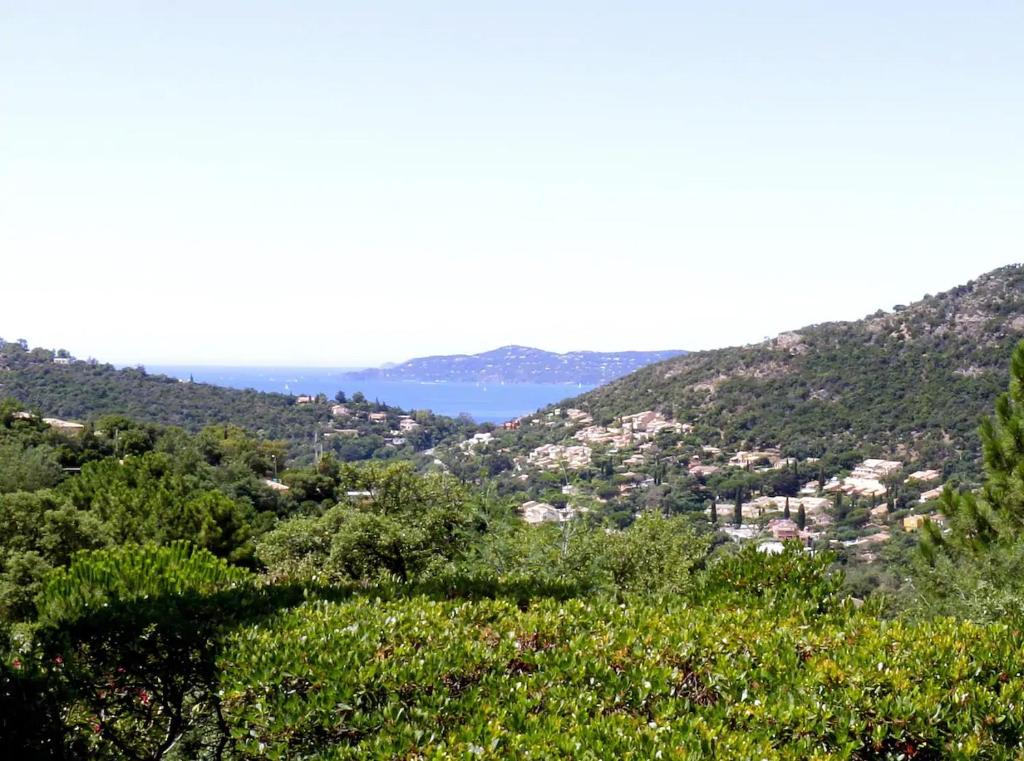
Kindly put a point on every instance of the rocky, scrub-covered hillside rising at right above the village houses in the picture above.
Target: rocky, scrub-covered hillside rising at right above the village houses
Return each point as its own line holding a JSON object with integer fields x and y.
{"x": 915, "y": 380}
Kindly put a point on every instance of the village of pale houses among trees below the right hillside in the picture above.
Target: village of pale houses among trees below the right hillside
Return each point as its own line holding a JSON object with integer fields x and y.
{"x": 645, "y": 460}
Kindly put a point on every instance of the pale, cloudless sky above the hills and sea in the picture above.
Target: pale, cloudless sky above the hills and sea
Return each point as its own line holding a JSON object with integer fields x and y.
{"x": 343, "y": 184}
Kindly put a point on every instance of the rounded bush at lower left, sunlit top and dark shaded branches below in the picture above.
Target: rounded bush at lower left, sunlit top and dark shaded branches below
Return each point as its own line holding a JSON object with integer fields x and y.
{"x": 130, "y": 636}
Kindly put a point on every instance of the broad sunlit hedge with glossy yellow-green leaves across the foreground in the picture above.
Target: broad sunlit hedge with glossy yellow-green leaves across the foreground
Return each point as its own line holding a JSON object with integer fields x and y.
{"x": 596, "y": 680}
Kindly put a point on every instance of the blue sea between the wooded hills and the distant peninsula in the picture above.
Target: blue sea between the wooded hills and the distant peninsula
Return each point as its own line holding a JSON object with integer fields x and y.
{"x": 484, "y": 402}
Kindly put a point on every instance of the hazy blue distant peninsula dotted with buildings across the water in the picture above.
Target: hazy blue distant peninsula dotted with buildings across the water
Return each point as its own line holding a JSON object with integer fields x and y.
{"x": 519, "y": 365}
